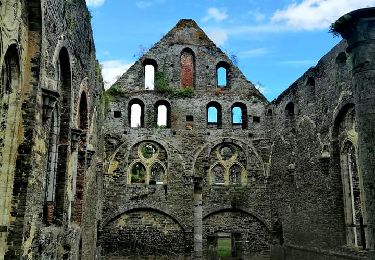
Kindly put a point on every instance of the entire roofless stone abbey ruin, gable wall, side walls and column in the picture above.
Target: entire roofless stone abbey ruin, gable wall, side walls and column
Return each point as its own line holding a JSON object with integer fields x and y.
{"x": 182, "y": 158}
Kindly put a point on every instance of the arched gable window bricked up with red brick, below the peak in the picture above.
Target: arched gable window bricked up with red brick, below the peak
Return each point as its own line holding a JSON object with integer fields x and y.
{"x": 187, "y": 63}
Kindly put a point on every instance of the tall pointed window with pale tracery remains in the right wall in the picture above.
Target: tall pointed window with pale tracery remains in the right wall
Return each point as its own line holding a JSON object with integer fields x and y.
{"x": 344, "y": 154}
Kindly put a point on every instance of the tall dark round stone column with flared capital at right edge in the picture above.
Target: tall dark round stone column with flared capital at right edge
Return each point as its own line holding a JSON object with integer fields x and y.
{"x": 358, "y": 28}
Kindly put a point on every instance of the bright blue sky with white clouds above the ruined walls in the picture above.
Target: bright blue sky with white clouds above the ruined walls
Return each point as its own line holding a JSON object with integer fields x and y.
{"x": 275, "y": 41}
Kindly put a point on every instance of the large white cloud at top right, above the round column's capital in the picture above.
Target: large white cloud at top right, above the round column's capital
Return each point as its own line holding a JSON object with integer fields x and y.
{"x": 316, "y": 14}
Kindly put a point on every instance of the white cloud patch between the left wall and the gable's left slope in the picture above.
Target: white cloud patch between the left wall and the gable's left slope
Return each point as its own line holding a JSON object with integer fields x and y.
{"x": 112, "y": 70}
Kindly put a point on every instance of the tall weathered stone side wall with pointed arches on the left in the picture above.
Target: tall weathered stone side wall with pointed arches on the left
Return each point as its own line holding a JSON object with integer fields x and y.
{"x": 37, "y": 35}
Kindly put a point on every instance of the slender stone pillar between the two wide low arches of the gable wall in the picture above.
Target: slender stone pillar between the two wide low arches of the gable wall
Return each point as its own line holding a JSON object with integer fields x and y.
{"x": 198, "y": 214}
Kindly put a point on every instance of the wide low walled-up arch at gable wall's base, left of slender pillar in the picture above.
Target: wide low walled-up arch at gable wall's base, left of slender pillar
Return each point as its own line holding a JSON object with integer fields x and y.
{"x": 142, "y": 232}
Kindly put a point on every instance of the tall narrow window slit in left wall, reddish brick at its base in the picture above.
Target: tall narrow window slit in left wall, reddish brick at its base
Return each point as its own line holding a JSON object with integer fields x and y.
{"x": 52, "y": 156}
